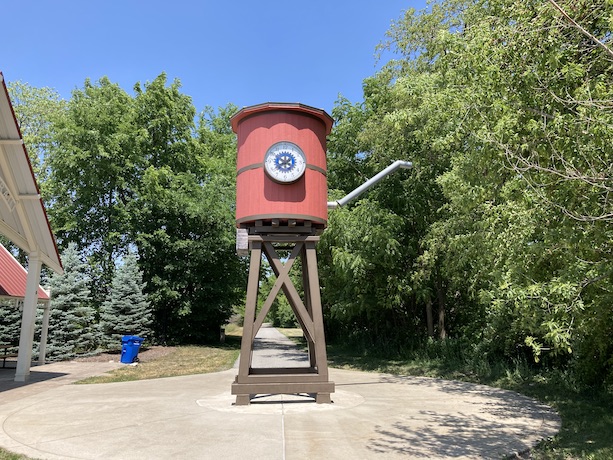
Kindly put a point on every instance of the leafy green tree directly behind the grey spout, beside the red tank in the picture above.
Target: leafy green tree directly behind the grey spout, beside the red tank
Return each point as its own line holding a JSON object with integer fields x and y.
{"x": 379, "y": 239}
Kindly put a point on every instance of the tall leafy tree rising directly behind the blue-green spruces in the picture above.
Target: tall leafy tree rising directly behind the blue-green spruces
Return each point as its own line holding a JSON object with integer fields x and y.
{"x": 93, "y": 164}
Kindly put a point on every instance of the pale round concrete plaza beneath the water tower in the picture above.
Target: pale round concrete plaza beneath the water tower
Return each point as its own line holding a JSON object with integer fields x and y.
{"x": 373, "y": 416}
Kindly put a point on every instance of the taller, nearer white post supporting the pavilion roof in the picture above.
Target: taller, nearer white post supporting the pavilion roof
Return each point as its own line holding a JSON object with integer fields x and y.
{"x": 28, "y": 318}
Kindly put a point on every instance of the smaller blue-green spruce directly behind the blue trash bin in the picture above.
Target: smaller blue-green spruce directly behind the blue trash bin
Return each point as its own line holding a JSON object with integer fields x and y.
{"x": 126, "y": 311}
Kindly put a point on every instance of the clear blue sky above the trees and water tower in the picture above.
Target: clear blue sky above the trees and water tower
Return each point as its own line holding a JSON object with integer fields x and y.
{"x": 243, "y": 52}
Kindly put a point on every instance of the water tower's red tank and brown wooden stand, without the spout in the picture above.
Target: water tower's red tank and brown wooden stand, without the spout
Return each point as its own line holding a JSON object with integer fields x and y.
{"x": 281, "y": 204}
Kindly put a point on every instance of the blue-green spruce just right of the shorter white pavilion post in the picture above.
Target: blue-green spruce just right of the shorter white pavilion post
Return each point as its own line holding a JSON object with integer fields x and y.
{"x": 72, "y": 322}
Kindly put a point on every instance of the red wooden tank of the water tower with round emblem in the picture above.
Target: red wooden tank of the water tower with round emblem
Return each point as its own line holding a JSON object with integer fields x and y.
{"x": 281, "y": 164}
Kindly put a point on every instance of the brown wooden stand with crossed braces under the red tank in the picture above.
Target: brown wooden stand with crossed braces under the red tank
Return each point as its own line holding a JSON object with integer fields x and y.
{"x": 301, "y": 241}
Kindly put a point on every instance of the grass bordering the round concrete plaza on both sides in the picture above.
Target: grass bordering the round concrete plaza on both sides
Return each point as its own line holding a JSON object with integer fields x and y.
{"x": 587, "y": 416}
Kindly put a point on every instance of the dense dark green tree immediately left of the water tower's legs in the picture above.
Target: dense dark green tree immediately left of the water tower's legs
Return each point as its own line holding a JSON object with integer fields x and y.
{"x": 188, "y": 256}
